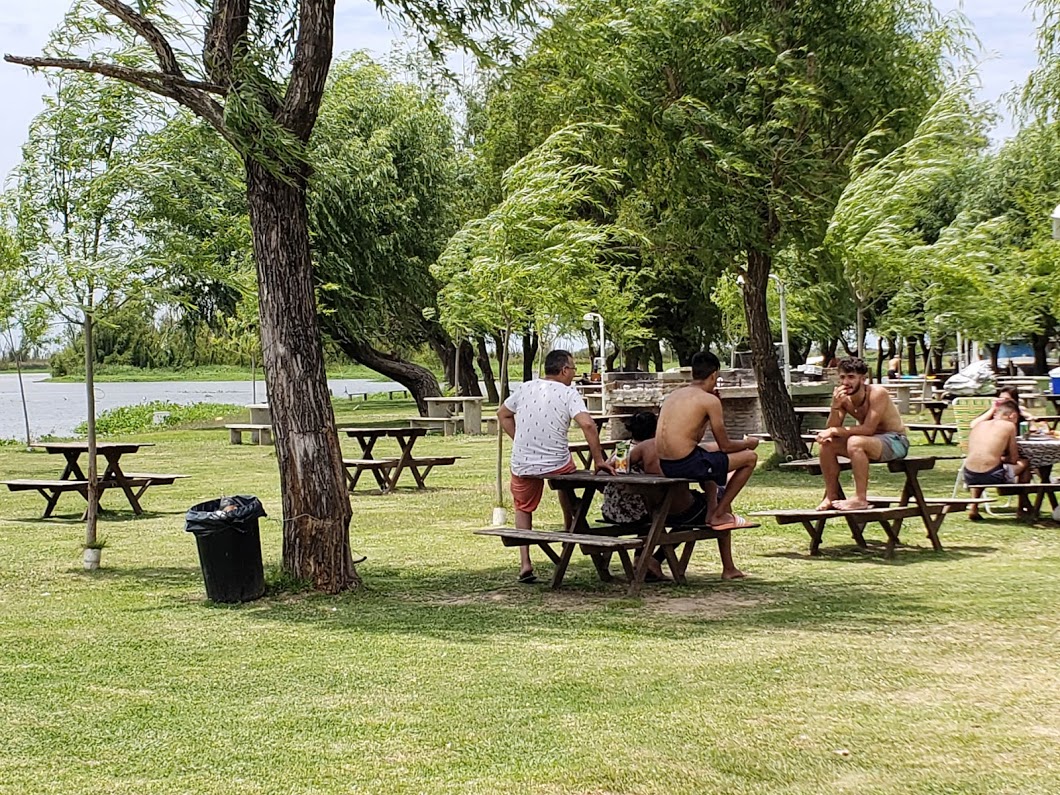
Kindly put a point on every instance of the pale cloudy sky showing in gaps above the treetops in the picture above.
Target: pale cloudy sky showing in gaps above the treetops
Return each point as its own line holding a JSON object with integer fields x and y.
{"x": 1006, "y": 30}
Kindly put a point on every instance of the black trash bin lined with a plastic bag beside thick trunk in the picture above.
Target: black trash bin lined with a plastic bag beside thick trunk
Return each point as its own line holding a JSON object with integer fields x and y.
{"x": 229, "y": 546}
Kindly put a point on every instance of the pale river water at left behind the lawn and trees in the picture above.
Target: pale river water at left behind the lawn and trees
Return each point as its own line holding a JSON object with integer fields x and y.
{"x": 57, "y": 410}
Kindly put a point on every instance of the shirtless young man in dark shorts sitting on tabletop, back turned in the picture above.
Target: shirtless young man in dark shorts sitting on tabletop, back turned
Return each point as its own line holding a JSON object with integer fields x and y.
{"x": 684, "y": 419}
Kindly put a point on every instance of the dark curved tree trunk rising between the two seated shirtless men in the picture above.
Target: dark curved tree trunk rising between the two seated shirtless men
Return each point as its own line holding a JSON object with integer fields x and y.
{"x": 773, "y": 398}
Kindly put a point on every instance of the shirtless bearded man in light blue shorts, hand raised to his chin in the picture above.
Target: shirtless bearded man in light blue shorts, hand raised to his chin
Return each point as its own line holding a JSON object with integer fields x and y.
{"x": 880, "y": 435}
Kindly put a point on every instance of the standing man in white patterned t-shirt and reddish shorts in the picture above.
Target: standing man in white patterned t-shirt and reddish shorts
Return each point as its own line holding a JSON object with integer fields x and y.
{"x": 538, "y": 418}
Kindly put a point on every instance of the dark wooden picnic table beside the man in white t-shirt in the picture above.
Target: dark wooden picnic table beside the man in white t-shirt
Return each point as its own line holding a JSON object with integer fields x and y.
{"x": 602, "y": 542}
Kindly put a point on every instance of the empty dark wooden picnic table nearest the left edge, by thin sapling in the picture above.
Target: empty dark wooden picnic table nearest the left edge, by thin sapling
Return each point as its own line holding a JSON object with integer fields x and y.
{"x": 74, "y": 480}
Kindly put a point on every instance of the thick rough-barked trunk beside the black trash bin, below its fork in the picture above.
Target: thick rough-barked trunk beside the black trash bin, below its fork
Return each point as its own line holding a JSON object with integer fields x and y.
{"x": 316, "y": 504}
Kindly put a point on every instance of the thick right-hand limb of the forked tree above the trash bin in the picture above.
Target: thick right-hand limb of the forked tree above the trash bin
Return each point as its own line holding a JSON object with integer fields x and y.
{"x": 309, "y": 69}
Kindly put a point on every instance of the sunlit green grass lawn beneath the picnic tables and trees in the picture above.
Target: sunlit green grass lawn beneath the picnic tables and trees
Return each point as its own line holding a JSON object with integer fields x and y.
{"x": 846, "y": 674}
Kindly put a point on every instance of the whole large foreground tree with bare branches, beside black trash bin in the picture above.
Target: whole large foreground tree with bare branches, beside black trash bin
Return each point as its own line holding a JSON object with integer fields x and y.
{"x": 257, "y": 76}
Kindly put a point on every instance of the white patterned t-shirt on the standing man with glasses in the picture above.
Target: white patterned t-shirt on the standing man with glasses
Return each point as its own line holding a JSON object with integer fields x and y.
{"x": 543, "y": 412}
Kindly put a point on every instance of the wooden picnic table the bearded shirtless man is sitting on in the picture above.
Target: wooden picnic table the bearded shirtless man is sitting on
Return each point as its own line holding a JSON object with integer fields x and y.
{"x": 890, "y": 513}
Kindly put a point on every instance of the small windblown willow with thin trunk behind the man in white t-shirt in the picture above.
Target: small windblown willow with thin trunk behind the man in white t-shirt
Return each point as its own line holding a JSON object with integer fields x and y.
{"x": 536, "y": 259}
